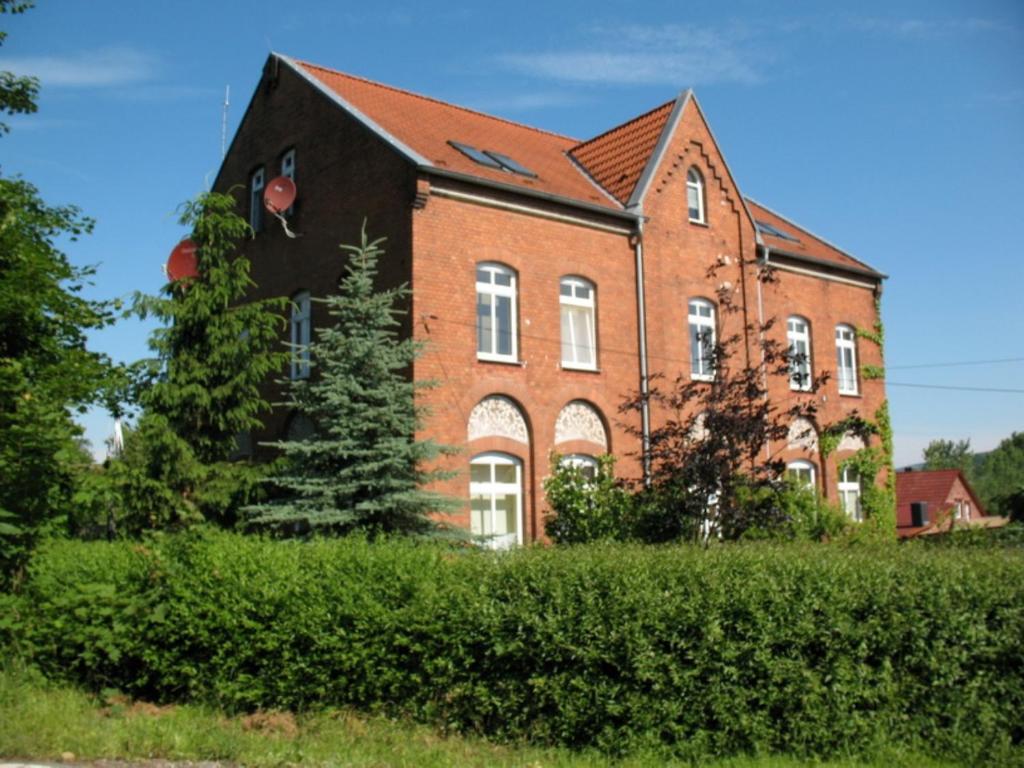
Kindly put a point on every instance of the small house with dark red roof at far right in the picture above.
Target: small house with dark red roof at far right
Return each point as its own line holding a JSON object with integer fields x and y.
{"x": 937, "y": 501}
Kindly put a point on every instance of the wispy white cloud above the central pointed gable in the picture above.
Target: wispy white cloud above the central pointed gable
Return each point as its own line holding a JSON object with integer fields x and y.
{"x": 675, "y": 55}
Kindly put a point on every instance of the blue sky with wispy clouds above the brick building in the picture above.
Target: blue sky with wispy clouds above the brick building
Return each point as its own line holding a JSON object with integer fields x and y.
{"x": 894, "y": 130}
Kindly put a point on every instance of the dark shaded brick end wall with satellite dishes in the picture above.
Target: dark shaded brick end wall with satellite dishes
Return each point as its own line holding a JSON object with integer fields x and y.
{"x": 345, "y": 175}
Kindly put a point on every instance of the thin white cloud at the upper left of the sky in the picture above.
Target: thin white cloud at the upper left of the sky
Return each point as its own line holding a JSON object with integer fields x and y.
{"x": 97, "y": 69}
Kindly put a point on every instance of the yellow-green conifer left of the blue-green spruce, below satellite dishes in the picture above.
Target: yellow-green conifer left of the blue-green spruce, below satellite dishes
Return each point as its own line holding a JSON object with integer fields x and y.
{"x": 214, "y": 350}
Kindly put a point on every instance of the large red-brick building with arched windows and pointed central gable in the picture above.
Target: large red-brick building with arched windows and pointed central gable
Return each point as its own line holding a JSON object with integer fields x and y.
{"x": 550, "y": 276}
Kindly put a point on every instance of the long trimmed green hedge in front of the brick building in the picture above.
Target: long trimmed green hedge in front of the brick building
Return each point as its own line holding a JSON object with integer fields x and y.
{"x": 802, "y": 650}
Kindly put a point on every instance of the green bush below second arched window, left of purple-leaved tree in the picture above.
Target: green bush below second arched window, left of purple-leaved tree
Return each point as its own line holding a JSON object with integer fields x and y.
{"x": 587, "y": 509}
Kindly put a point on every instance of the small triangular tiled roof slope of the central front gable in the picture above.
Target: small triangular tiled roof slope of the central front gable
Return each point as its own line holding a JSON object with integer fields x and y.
{"x": 618, "y": 158}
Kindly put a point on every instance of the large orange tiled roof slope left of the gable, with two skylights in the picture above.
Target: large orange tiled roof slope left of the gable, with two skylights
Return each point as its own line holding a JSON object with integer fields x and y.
{"x": 426, "y": 125}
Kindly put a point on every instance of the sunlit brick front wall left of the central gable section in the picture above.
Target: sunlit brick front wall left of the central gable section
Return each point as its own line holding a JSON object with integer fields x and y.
{"x": 450, "y": 238}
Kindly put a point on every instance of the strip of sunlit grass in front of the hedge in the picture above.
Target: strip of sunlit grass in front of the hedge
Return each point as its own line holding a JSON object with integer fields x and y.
{"x": 40, "y": 721}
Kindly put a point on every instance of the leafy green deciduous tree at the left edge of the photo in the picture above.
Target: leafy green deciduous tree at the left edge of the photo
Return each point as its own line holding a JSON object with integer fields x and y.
{"x": 47, "y": 371}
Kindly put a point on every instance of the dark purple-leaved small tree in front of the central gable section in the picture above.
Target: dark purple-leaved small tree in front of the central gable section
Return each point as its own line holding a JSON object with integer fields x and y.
{"x": 707, "y": 449}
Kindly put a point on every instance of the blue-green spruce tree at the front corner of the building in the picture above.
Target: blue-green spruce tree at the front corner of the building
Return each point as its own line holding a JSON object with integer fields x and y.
{"x": 363, "y": 467}
